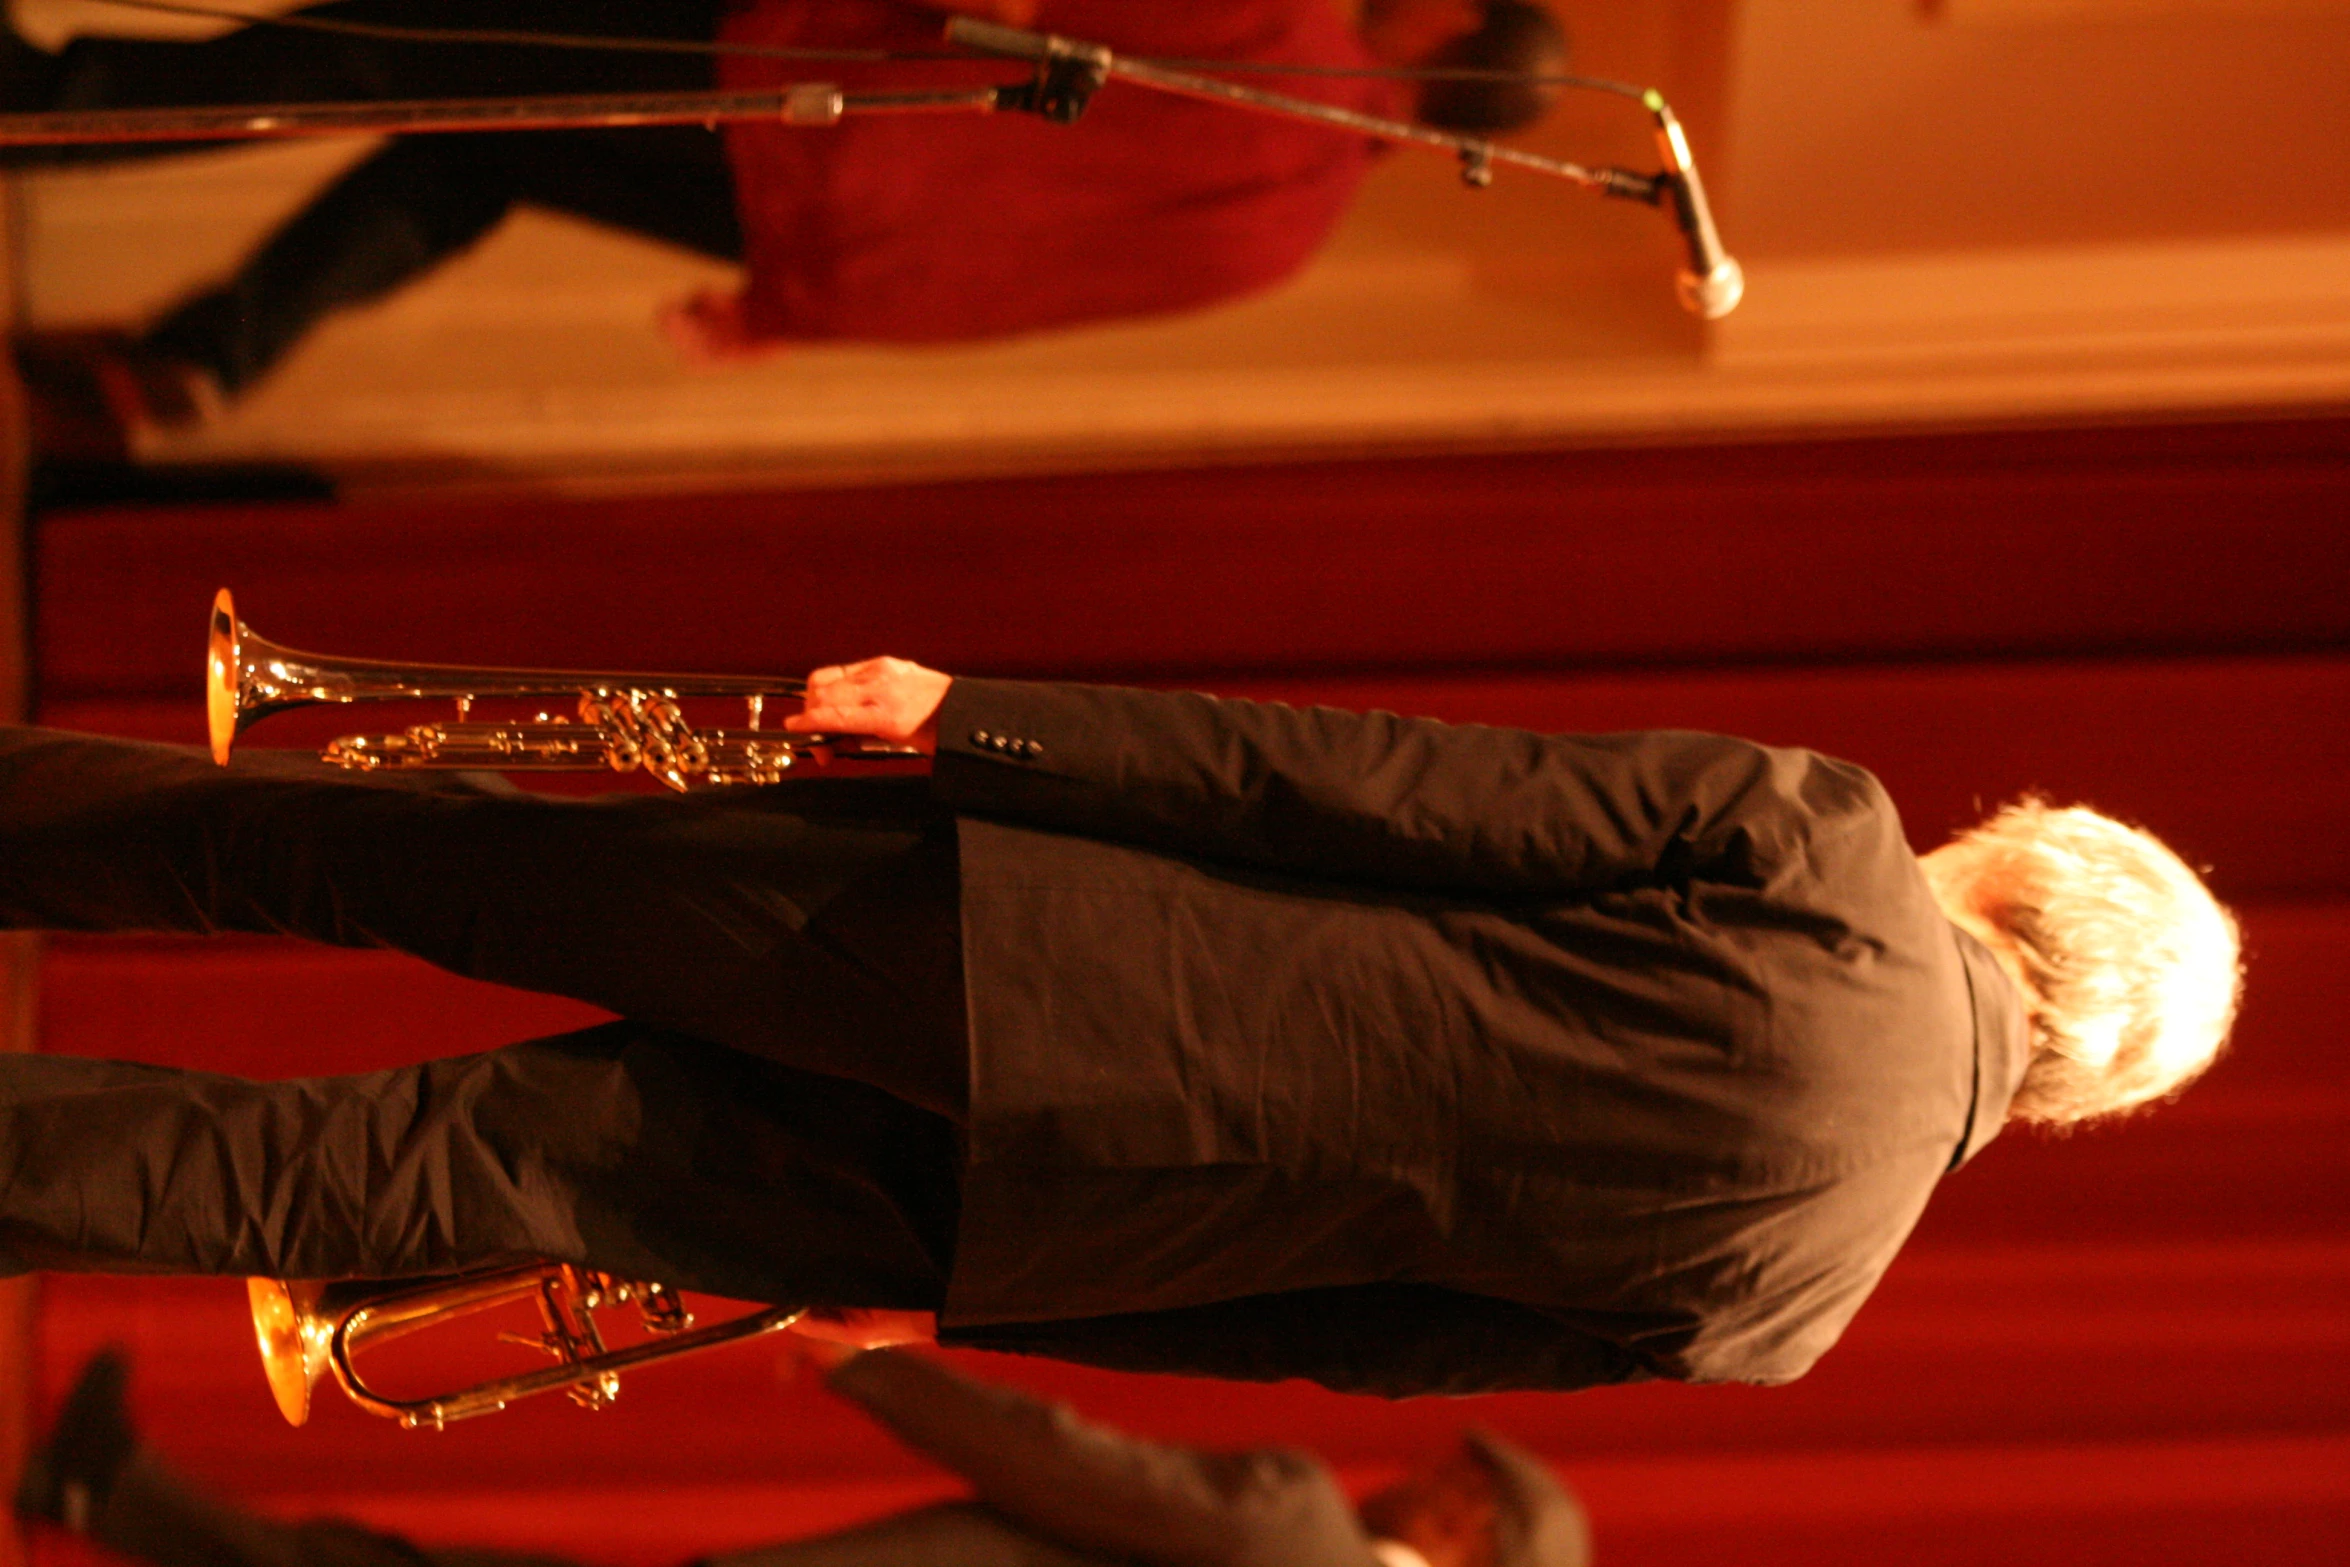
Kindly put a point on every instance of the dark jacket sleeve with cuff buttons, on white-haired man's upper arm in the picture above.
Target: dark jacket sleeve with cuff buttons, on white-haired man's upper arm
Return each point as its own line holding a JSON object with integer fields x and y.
{"x": 1376, "y": 798}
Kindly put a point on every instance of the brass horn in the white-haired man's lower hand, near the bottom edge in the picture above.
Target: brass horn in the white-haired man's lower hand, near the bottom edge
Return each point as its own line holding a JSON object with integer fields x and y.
{"x": 311, "y": 1329}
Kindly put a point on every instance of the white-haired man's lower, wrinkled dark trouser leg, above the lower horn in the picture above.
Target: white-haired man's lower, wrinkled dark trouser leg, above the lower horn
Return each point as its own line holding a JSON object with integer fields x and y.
{"x": 622, "y": 1148}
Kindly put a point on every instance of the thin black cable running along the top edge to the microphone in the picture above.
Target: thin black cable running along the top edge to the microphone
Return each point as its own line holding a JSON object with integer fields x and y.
{"x": 828, "y": 58}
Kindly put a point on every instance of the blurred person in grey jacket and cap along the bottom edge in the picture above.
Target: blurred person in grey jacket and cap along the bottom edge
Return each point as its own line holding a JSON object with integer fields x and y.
{"x": 1049, "y": 1491}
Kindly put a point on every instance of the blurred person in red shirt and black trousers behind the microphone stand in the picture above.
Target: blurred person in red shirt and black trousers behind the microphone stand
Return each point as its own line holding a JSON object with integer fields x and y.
{"x": 885, "y": 229}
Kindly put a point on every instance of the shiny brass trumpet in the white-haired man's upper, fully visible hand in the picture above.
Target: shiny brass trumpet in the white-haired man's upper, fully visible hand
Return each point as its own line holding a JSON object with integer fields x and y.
{"x": 624, "y": 720}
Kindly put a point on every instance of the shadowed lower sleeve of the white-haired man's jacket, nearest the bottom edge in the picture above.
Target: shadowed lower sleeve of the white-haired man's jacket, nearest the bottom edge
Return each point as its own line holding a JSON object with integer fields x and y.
{"x": 1390, "y": 1340}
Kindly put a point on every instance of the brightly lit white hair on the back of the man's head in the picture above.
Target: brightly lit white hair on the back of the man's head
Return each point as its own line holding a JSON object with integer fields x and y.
{"x": 2133, "y": 969}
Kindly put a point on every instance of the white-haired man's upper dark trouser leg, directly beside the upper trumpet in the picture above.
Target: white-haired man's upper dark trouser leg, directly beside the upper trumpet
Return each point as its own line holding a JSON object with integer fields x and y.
{"x": 812, "y": 924}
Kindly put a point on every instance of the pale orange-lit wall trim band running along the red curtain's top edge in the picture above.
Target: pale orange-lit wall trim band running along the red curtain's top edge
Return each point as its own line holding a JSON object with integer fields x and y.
{"x": 1832, "y": 344}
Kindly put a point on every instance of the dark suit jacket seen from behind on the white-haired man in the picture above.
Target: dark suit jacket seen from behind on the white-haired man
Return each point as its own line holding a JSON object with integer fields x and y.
{"x": 1439, "y": 1058}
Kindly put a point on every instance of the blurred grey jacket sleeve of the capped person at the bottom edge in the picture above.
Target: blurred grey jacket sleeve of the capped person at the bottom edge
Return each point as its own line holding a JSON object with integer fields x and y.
{"x": 1101, "y": 1491}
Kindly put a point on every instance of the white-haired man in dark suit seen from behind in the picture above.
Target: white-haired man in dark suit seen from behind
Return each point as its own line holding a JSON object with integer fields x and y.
{"x": 1153, "y": 1033}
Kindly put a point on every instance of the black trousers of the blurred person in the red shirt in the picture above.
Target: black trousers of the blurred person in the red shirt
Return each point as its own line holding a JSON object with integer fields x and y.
{"x": 417, "y": 203}
